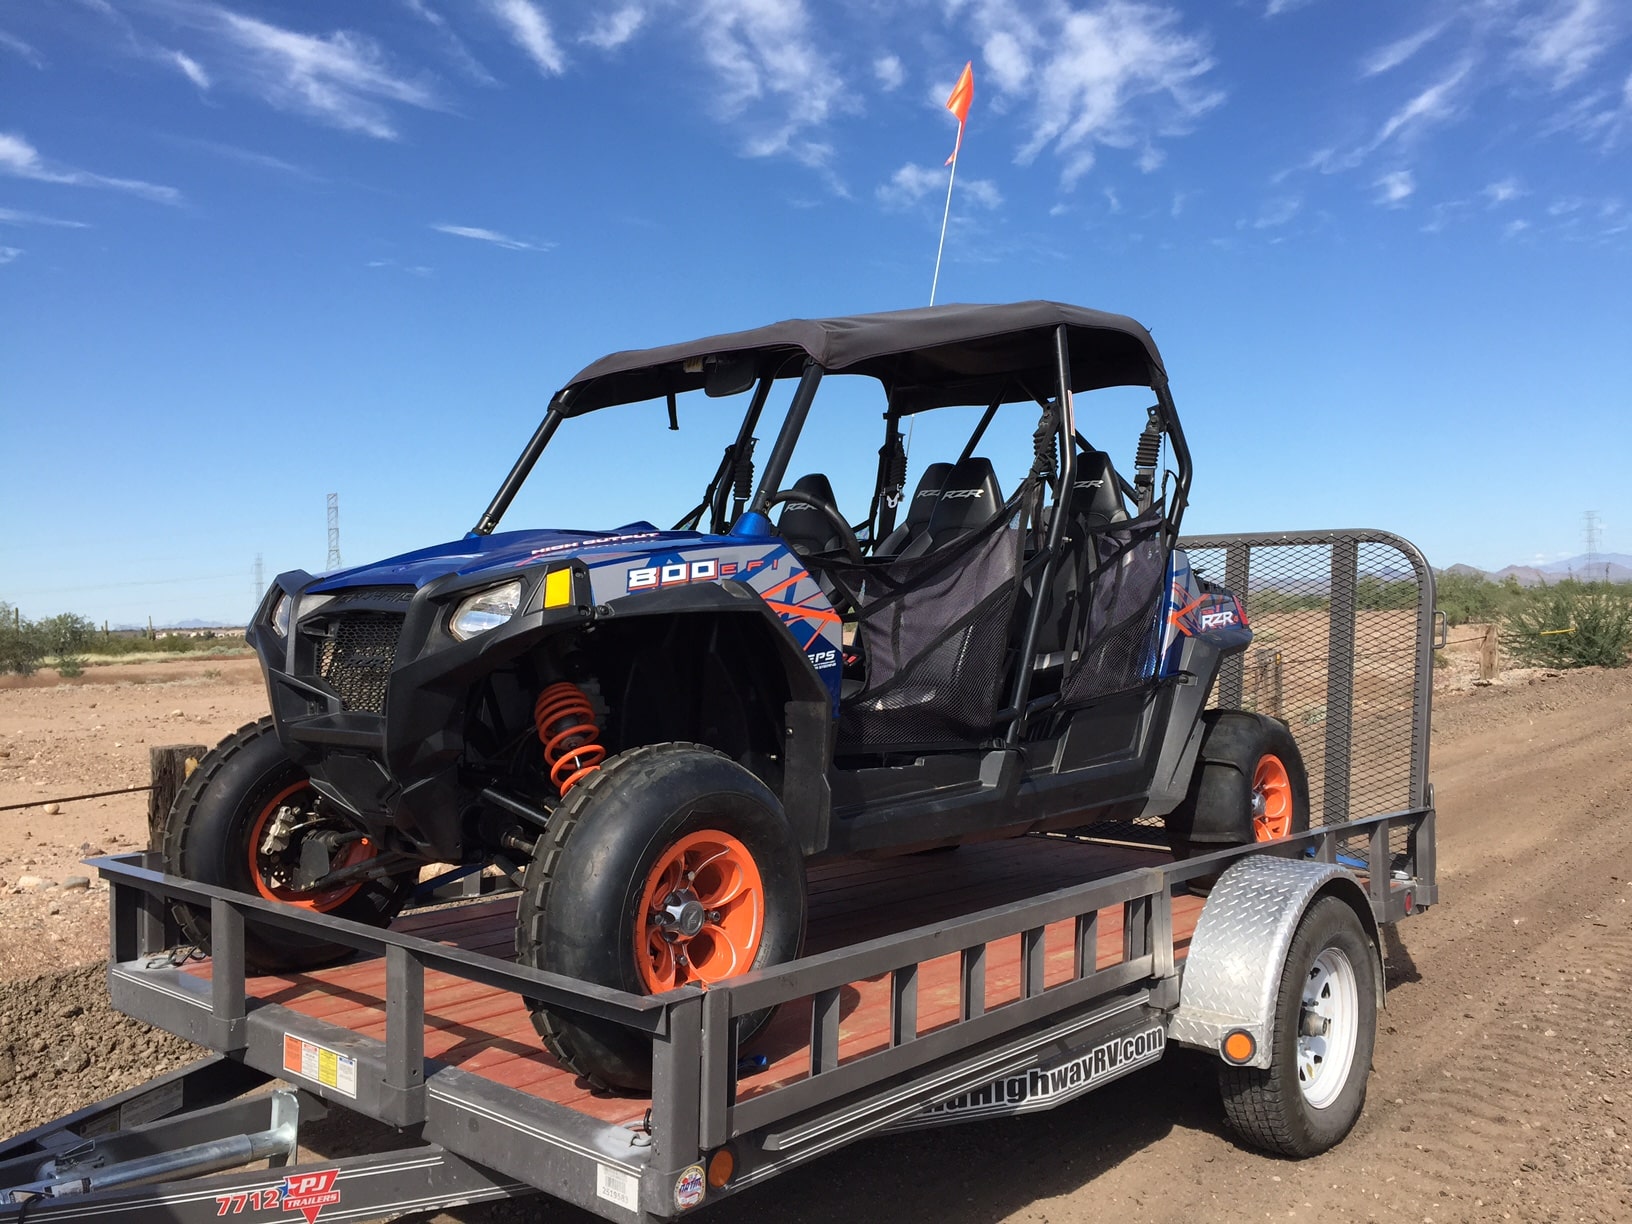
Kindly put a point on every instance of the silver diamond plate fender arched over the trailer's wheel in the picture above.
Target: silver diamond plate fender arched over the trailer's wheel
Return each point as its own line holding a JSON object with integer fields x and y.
{"x": 1238, "y": 954}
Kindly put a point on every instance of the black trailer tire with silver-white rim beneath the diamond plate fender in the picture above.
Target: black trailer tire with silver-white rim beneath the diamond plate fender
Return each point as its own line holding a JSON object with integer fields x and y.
{"x": 1326, "y": 1029}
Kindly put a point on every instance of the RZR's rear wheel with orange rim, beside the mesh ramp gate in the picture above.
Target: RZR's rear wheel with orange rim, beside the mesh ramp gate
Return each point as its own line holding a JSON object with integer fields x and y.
{"x": 1249, "y": 787}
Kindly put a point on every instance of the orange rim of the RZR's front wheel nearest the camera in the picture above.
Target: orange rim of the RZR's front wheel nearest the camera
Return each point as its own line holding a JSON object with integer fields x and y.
{"x": 703, "y": 913}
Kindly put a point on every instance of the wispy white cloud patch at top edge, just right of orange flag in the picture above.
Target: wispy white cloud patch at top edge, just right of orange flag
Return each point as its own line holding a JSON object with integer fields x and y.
{"x": 1120, "y": 74}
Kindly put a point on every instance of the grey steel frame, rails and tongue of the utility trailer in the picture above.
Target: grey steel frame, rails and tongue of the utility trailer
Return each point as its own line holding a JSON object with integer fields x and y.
{"x": 471, "y": 1137}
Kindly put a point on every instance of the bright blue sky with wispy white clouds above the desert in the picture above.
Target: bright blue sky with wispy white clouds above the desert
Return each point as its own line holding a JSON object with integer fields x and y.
{"x": 252, "y": 254}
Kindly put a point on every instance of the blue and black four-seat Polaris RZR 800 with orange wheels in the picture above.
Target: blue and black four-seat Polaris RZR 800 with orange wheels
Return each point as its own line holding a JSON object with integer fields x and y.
{"x": 652, "y": 732}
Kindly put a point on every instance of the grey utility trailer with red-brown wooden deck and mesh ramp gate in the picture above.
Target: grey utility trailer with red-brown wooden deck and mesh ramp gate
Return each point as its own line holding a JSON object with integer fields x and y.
{"x": 1013, "y": 978}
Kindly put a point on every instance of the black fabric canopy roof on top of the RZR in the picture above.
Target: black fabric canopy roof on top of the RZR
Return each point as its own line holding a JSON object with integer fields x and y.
{"x": 926, "y": 358}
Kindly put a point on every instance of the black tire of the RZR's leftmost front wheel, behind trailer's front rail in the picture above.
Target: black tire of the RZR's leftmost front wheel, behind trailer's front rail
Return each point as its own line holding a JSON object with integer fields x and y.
{"x": 208, "y": 838}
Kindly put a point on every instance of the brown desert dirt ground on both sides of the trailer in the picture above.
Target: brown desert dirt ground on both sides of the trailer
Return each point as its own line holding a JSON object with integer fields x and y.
{"x": 1502, "y": 1084}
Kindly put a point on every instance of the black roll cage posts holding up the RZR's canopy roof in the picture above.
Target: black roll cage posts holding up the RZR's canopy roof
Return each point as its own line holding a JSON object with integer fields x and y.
{"x": 1040, "y": 567}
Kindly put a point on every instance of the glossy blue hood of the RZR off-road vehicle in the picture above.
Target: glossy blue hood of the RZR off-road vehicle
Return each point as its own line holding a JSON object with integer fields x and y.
{"x": 507, "y": 551}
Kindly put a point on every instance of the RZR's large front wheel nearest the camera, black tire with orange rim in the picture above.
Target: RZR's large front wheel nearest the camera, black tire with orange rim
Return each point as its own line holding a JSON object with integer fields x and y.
{"x": 588, "y": 895}
